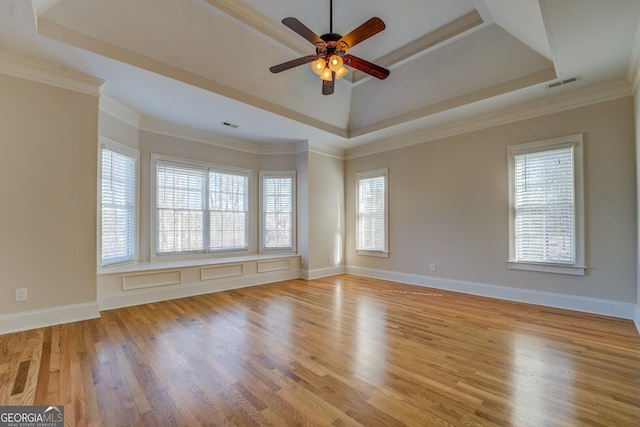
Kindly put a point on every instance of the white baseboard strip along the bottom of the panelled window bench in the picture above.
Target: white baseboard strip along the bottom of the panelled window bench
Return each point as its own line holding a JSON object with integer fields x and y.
{"x": 149, "y": 295}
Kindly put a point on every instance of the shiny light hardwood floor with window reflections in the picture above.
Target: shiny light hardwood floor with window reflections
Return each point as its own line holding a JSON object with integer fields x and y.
{"x": 343, "y": 350}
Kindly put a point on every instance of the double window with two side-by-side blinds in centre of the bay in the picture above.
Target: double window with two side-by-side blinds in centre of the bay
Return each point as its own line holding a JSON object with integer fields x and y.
{"x": 200, "y": 208}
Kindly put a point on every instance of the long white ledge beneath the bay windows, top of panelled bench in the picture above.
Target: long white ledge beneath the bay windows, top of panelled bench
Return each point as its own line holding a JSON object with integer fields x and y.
{"x": 173, "y": 263}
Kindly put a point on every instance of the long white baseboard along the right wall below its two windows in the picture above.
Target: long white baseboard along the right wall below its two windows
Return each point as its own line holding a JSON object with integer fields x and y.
{"x": 550, "y": 299}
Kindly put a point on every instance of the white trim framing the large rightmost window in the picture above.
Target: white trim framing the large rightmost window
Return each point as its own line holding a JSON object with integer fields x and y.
{"x": 576, "y": 143}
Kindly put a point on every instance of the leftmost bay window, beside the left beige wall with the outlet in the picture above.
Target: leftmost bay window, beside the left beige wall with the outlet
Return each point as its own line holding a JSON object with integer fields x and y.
{"x": 118, "y": 203}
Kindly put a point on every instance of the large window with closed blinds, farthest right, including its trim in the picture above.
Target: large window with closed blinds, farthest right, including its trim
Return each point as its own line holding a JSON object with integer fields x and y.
{"x": 546, "y": 213}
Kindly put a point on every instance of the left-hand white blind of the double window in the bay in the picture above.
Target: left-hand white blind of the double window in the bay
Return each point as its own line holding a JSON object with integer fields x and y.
{"x": 180, "y": 208}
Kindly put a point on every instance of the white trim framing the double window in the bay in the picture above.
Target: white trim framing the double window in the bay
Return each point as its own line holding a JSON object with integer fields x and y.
{"x": 205, "y": 253}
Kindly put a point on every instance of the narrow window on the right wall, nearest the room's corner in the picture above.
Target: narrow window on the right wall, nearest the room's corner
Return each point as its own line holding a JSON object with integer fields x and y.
{"x": 372, "y": 219}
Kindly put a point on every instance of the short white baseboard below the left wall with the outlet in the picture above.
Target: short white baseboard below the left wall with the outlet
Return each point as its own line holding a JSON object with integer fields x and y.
{"x": 34, "y": 319}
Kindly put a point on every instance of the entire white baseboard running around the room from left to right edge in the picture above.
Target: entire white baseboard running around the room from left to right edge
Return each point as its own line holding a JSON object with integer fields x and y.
{"x": 33, "y": 319}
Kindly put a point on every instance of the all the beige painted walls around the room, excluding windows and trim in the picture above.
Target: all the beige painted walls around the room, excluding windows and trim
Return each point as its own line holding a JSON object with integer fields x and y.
{"x": 448, "y": 199}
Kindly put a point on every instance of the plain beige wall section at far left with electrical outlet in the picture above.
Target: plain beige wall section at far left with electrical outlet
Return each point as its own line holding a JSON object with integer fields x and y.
{"x": 48, "y": 178}
